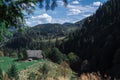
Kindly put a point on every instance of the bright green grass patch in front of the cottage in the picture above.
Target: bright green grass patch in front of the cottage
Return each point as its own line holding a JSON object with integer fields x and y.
{"x": 6, "y": 62}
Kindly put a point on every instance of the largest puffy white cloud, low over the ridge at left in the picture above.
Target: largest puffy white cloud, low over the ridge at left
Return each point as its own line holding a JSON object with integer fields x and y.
{"x": 40, "y": 19}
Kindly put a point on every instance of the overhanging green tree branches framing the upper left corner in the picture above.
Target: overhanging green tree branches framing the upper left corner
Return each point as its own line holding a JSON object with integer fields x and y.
{"x": 12, "y": 15}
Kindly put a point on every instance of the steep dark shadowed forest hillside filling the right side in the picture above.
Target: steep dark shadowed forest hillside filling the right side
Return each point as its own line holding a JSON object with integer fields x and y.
{"x": 98, "y": 42}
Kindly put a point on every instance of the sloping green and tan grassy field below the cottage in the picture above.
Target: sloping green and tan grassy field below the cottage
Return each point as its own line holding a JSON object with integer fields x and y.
{"x": 35, "y": 67}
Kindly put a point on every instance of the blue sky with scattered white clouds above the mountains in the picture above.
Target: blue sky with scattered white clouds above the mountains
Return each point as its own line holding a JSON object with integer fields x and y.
{"x": 76, "y": 10}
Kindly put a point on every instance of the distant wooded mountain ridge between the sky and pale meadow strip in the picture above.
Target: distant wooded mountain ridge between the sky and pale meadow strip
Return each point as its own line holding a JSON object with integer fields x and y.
{"x": 54, "y": 29}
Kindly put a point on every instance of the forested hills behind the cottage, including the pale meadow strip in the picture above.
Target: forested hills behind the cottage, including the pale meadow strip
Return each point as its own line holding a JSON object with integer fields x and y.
{"x": 41, "y": 36}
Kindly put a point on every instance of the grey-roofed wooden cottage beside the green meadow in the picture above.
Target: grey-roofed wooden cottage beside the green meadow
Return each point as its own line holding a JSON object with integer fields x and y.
{"x": 34, "y": 54}
